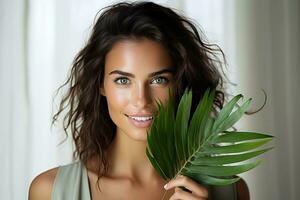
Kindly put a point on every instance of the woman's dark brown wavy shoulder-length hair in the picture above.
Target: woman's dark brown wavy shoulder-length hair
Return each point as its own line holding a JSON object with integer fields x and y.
{"x": 198, "y": 66}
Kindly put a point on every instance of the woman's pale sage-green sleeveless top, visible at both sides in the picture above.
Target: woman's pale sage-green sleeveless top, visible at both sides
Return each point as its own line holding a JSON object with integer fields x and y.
{"x": 71, "y": 183}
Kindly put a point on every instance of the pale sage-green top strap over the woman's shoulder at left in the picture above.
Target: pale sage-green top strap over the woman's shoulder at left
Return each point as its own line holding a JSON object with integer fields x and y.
{"x": 71, "y": 182}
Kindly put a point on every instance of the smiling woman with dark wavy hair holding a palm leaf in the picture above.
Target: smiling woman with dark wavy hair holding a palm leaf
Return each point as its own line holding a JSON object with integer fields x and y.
{"x": 136, "y": 53}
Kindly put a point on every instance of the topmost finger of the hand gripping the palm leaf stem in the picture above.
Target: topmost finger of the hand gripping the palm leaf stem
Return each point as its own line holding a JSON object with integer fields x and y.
{"x": 189, "y": 184}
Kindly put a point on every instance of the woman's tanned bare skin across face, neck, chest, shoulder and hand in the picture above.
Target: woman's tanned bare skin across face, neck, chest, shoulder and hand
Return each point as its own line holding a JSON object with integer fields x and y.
{"x": 137, "y": 73}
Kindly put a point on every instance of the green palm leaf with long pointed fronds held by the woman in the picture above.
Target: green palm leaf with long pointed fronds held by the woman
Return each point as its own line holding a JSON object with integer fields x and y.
{"x": 200, "y": 146}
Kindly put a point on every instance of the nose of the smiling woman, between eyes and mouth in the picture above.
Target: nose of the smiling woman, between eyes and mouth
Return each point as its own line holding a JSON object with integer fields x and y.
{"x": 141, "y": 96}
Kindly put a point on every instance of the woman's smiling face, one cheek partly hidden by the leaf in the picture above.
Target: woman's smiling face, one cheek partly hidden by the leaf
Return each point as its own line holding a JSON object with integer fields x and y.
{"x": 137, "y": 73}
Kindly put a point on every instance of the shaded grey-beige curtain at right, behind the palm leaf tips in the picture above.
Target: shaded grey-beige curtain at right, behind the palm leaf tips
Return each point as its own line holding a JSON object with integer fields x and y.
{"x": 267, "y": 56}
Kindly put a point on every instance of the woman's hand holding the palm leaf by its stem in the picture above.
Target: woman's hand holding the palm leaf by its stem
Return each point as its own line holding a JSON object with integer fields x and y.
{"x": 198, "y": 192}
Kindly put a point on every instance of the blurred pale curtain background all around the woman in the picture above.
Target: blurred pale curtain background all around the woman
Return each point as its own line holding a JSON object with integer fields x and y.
{"x": 39, "y": 39}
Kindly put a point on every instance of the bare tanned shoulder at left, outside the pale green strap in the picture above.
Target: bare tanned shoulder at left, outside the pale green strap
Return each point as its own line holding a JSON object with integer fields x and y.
{"x": 41, "y": 186}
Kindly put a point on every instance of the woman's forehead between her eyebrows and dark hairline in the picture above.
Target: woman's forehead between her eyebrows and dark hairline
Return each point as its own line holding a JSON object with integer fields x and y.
{"x": 133, "y": 55}
